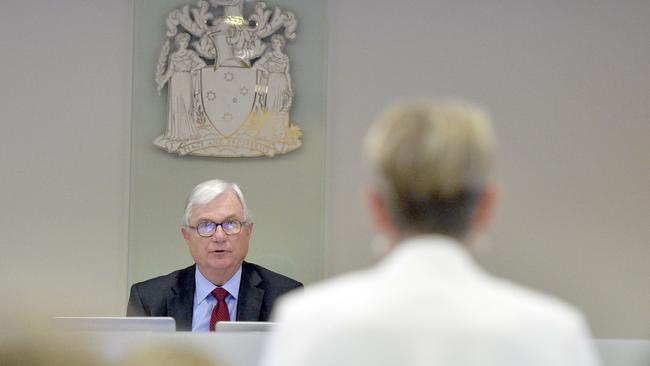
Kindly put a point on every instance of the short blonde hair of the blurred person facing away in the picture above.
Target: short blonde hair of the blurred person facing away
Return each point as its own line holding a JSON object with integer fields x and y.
{"x": 431, "y": 160}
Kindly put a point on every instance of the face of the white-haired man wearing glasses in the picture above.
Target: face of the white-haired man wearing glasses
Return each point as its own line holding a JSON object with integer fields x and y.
{"x": 220, "y": 255}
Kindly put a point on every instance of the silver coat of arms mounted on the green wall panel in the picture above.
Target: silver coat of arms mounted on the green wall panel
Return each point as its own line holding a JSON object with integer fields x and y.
{"x": 228, "y": 80}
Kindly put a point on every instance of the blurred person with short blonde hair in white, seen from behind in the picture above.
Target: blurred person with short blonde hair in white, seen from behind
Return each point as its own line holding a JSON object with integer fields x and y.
{"x": 427, "y": 302}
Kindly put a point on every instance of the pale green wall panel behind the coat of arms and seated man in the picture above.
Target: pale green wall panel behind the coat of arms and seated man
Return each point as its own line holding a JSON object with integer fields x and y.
{"x": 285, "y": 193}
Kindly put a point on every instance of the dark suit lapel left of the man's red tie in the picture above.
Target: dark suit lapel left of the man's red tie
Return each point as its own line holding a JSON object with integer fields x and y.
{"x": 180, "y": 306}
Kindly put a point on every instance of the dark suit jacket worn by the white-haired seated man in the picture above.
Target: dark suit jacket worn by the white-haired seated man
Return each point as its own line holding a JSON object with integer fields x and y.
{"x": 173, "y": 295}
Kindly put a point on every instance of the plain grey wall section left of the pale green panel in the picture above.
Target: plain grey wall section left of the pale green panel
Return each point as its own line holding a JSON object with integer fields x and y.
{"x": 64, "y": 157}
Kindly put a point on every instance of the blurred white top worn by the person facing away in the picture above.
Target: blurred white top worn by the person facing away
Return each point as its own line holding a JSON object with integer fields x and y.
{"x": 427, "y": 303}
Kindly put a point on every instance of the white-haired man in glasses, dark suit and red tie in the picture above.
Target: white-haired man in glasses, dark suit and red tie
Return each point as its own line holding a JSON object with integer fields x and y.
{"x": 221, "y": 285}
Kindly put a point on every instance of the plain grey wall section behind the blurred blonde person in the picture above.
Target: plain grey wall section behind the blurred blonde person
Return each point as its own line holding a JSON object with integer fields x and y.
{"x": 567, "y": 84}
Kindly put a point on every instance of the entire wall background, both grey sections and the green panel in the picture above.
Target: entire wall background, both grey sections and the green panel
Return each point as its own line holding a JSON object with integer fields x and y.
{"x": 87, "y": 198}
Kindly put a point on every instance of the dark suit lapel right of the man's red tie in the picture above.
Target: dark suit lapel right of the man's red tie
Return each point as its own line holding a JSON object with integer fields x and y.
{"x": 249, "y": 303}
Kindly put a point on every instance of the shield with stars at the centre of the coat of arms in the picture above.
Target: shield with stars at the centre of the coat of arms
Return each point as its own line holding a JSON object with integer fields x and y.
{"x": 228, "y": 96}
